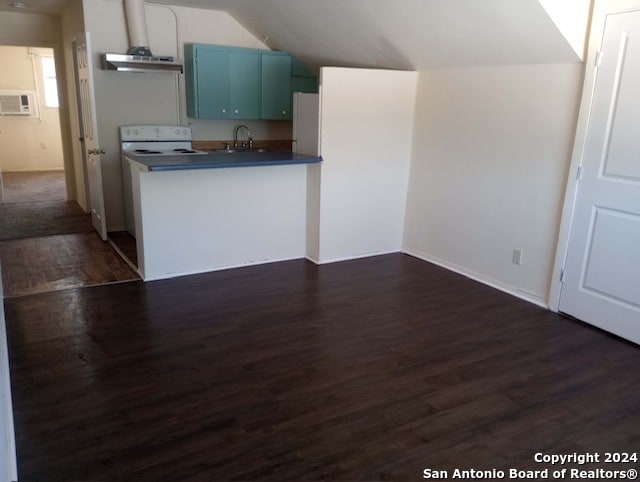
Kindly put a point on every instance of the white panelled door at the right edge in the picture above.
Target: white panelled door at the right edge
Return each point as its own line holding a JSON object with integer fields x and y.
{"x": 601, "y": 283}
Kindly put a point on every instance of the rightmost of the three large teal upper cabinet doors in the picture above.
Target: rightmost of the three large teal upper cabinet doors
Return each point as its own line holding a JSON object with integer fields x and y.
{"x": 276, "y": 85}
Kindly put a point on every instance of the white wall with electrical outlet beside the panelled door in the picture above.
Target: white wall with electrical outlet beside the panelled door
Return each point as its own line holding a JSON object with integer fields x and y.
{"x": 491, "y": 152}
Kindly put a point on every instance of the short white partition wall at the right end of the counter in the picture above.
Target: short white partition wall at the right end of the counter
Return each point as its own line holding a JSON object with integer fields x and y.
{"x": 366, "y": 119}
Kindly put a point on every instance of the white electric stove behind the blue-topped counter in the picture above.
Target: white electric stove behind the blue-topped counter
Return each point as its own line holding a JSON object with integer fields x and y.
{"x": 150, "y": 140}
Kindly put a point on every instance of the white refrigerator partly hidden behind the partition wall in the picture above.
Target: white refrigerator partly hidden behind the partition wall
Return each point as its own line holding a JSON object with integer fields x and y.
{"x": 306, "y": 124}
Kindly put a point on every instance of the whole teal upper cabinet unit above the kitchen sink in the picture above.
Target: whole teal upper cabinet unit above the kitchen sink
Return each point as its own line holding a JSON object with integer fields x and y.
{"x": 238, "y": 83}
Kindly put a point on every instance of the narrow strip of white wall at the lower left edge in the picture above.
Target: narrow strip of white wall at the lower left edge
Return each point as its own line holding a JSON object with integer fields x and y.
{"x": 8, "y": 461}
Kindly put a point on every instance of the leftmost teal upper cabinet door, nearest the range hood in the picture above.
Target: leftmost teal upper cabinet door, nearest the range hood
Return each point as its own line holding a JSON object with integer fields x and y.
{"x": 213, "y": 83}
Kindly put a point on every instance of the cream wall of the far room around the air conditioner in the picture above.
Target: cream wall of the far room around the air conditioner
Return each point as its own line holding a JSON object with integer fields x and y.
{"x": 28, "y": 143}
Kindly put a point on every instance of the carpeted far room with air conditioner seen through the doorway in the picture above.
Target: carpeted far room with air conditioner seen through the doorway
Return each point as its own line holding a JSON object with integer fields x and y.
{"x": 34, "y": 194}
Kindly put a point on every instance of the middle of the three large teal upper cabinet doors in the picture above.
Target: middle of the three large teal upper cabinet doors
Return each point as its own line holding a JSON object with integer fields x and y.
{"x": 244, "y": 84}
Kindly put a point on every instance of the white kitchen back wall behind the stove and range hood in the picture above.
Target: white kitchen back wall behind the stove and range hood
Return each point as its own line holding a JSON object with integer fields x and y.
{"x": 151, "y": 98}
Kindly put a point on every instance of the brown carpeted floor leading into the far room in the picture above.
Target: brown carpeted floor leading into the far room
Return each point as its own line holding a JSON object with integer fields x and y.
{"x": 34, "y": 205}
